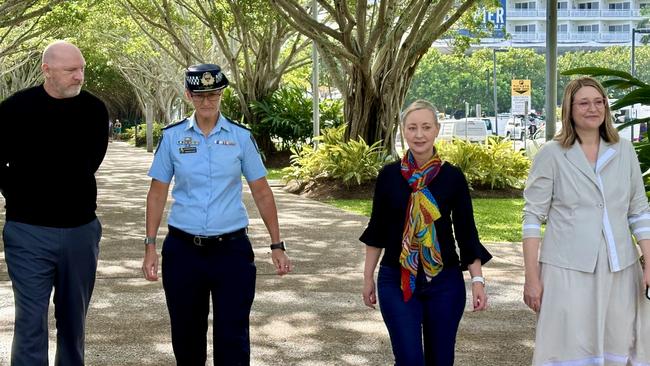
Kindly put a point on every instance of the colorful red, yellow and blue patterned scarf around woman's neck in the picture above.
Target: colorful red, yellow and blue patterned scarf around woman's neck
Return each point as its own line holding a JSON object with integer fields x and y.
{"x": 420, "y": 242}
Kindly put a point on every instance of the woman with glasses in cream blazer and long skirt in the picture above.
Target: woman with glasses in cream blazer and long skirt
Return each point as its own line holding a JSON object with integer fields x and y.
{"x": 586, "y": 282}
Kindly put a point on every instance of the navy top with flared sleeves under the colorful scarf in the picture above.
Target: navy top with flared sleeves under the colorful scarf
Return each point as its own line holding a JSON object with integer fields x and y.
{"x": 451, "y": 192}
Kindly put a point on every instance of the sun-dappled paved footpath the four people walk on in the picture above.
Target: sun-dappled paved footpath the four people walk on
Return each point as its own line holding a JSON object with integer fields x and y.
{"x": 312, "y": 317}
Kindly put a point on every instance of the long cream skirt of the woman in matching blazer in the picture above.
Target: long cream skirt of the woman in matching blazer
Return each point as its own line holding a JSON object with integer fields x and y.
{"x": 600, "y": 318}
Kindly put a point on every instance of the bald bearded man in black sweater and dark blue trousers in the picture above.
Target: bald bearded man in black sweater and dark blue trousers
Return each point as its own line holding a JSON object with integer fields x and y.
{"x": 53, "y": 137}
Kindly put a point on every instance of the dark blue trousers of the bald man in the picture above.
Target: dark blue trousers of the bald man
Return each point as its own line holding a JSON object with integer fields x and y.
{"x": 41, "y": 258}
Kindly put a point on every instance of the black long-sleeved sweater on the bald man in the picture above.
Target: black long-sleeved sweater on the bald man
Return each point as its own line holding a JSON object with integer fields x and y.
{"x": 50, "y": 150}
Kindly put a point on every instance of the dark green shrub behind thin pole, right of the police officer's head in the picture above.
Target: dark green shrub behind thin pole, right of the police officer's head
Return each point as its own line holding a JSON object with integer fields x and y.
{"x": 286, "y": 116}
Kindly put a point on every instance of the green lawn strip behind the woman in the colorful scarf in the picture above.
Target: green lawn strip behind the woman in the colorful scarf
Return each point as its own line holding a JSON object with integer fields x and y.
{"x": 497, "y": 219}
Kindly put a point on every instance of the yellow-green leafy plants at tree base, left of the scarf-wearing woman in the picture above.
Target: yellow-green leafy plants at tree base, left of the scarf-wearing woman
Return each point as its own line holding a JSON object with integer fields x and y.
{"x": 350, "y": 162}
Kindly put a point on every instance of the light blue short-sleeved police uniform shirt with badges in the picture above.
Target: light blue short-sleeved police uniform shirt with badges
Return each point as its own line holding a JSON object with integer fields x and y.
{"x": 207, "y": 173}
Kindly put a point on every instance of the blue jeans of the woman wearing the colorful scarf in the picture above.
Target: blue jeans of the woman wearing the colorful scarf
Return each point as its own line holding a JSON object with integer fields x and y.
{"x": 433, "y": 313}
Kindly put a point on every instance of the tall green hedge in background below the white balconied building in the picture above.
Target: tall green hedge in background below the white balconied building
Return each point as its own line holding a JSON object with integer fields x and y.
{"x": 448, "y": 80}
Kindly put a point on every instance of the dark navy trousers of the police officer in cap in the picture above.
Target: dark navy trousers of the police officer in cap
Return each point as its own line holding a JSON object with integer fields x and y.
{"x": 190, "y": 275}
